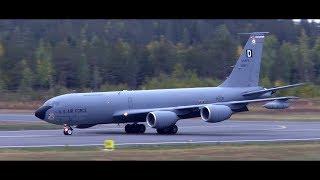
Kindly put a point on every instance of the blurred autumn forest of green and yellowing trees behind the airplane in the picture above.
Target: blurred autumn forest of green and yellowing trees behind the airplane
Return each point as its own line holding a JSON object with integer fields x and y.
{"x": 43, "y": 58}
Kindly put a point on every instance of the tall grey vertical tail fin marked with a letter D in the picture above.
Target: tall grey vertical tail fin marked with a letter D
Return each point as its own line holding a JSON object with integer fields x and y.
{"x": 246, "y": 72}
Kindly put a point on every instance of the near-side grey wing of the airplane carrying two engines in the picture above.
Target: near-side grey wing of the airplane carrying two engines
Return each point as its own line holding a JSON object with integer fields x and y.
{"x": 182, "y": 110}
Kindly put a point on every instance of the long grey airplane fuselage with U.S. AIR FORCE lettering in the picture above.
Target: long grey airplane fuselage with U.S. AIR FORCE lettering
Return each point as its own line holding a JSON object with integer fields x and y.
{"x": 99, "y": 107}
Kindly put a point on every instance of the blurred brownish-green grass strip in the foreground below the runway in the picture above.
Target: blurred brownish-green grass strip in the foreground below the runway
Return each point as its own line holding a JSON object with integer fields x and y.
{"x": 256, "y": 151}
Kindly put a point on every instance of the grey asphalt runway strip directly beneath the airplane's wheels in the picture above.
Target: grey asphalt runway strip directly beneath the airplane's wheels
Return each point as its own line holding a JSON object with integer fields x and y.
{"x": 192, "y": 131}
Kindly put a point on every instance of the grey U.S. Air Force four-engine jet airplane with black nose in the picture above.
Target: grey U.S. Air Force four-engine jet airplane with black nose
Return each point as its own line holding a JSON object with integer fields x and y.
{"x": 162, "y": 108}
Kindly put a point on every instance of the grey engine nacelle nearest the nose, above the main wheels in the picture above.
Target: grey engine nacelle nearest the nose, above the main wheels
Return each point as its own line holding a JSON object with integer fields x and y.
{"x": 161, "y": 119}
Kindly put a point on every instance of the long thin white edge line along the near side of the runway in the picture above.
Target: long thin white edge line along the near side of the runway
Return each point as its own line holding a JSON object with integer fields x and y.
{"x": 170, "y": 142}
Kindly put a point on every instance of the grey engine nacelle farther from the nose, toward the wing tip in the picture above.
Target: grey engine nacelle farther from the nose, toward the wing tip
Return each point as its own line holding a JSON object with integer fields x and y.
{"x": 215, "y": 113}
